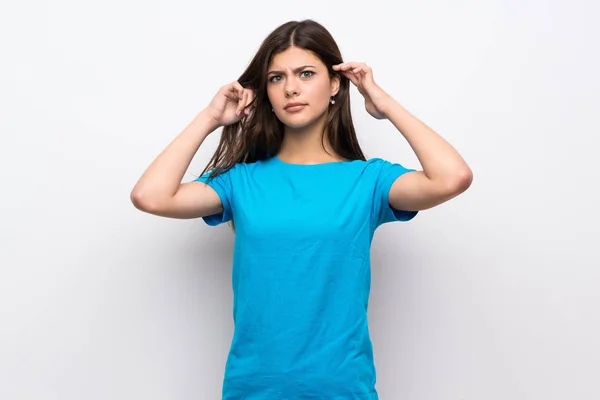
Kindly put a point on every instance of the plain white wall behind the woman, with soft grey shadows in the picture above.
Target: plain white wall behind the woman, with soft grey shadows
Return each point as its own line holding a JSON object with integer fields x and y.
{"x": 493, "y": 295}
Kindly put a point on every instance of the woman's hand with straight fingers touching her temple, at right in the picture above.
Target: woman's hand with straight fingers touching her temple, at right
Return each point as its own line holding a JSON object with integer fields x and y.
{"x": 361, "y": 75}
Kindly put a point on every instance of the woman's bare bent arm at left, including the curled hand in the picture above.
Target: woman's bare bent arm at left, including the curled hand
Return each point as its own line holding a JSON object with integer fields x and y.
{"x": 159, "y": 191}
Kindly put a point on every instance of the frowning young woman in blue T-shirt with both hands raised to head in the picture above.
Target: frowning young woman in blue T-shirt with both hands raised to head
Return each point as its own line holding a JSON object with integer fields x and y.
{"x": 290, "y": 174}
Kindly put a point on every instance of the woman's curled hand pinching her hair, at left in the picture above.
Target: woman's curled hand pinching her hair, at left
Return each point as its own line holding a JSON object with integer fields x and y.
{"x": 230, "y": 104}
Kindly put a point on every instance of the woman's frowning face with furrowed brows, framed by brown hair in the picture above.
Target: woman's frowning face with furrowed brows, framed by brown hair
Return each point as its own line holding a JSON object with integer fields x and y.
{"x": 298, "y": 76}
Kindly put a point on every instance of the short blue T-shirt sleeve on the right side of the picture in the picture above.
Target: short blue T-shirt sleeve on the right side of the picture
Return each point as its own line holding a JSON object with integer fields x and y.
{"x": 387, "y": 173}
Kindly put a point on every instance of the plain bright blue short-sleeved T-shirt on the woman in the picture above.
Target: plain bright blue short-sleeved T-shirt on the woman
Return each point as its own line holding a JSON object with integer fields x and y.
{"x": 301, "y": 275}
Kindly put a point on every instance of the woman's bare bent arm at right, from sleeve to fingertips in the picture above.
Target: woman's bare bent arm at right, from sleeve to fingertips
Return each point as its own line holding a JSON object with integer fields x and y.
{"x": 445, "y": 174}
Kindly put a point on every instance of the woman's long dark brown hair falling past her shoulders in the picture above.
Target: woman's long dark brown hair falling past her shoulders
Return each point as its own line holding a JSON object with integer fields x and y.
{"x": 258, "y": 136}
